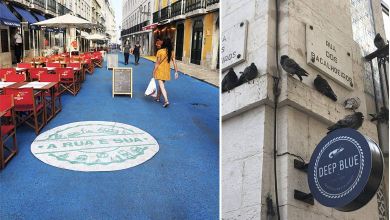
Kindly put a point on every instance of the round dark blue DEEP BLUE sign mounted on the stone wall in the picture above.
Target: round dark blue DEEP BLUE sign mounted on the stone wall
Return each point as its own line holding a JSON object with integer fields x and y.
{"x": 345, "y": 170}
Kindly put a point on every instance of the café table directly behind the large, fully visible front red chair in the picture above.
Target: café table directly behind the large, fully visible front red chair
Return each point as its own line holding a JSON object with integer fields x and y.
{"x": 41, "y": 87}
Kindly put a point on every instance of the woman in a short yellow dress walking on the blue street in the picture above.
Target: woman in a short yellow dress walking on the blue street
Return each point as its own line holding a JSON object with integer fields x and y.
{"x": 162, "y": 68}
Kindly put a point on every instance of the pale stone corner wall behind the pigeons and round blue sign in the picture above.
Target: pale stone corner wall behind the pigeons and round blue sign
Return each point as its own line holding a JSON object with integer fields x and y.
{"x": 269, "y": 122}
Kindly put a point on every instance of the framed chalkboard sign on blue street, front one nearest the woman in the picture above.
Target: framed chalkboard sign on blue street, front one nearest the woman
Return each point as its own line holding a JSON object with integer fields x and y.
{"x": 122, "y": 81}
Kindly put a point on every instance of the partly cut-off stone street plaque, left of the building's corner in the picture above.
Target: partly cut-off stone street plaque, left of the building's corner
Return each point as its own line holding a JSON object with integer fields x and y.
{"x": 233, "y": 50}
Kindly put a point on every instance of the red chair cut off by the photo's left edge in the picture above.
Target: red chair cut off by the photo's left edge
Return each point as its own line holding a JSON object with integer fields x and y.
{"x": 8, "y": 146}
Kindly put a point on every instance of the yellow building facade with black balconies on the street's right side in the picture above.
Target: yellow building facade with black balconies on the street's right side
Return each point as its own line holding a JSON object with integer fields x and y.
{"x": 193, "y": 27}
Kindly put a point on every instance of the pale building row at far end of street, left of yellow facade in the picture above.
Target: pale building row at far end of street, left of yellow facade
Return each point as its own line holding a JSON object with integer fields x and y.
{"x": 136, "y": 21}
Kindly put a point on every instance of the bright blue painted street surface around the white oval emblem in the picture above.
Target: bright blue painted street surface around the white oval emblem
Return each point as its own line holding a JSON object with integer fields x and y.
{"x": 180, "y": 182}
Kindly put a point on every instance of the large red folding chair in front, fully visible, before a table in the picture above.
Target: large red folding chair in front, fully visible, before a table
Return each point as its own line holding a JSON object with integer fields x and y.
{"x": 29, "y": 107}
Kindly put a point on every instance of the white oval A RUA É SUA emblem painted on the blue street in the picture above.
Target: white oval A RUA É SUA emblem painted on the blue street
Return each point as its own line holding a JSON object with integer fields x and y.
{"x": 94, "y": 146}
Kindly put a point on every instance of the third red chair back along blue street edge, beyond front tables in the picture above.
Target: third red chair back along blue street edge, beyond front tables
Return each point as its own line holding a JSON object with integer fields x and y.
{"x": 68, "y": 80}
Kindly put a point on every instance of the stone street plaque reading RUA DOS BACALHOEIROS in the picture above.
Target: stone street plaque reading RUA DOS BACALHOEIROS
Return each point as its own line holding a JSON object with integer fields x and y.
{"x": 329, "y": 57}
